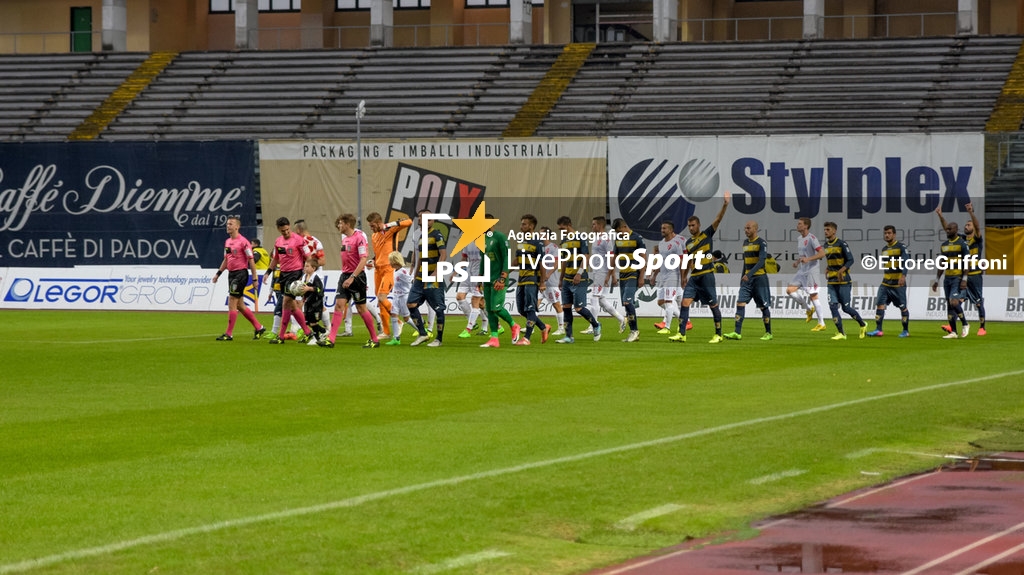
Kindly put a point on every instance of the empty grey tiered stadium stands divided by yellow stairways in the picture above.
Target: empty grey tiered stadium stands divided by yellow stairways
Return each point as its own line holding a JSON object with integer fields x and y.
{"x": 813, "y": 86}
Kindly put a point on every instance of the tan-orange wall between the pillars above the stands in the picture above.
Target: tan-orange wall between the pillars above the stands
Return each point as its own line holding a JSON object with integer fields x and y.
{"x": 187, "y": 25}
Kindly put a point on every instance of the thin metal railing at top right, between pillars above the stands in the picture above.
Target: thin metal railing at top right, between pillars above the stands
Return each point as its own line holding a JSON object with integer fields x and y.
{"x": 836, "y": 27}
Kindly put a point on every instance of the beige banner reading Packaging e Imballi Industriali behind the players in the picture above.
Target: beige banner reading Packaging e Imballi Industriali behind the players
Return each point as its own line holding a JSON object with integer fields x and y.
{"x": 319, "y": 181}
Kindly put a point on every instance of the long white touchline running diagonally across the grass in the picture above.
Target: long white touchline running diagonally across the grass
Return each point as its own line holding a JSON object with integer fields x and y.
{"x": 31, "y": 564}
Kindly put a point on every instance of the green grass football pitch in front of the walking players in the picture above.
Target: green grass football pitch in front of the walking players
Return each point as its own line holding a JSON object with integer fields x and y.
{"x": 136, "y": 444}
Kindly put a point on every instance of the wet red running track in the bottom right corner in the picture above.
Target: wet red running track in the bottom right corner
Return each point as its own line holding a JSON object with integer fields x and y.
{"x": 954, "y": 521}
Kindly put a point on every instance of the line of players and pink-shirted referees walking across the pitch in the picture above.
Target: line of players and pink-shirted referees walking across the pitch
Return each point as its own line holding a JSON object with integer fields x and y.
{"x": 601, "y": 261}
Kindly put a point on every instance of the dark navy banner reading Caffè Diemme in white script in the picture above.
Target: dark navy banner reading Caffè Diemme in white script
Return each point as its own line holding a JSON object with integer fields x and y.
{"x": 123, "y": 204}
